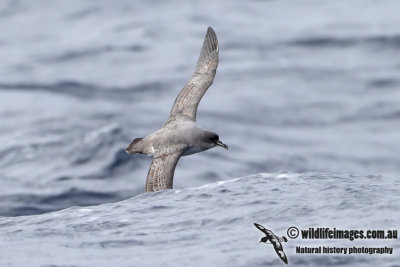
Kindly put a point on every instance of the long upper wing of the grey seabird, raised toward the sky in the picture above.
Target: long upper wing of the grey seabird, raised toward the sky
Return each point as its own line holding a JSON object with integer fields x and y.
{"x": 189, "y": 98}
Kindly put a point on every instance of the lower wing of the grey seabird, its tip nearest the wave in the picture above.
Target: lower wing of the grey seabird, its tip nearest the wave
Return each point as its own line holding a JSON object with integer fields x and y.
{"x": 161, "y": 172}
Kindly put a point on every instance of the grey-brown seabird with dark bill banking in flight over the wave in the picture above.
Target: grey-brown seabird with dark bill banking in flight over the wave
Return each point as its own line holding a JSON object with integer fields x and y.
{"x": 181, "y": 136}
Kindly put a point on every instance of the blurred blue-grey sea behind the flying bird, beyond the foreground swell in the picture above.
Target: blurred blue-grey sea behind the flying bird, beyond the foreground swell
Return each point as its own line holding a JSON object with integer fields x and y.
{"x": 301, "y": 86}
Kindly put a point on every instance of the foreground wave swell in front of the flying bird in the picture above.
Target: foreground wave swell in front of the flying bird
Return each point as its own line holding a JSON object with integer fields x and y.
{"x": 215, "y": 220}
